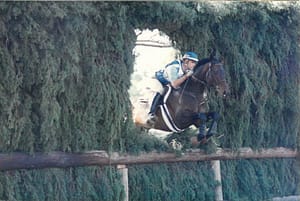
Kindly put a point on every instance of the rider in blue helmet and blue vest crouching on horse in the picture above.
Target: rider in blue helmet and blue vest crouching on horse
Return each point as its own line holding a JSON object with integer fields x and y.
{"x": 175, "y": 73}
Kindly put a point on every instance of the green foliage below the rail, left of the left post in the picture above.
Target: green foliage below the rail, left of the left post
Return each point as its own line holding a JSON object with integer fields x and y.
{"x": 56, "y": 184}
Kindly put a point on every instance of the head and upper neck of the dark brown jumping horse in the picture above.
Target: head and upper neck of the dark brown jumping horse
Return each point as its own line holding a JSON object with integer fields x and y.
{"x": 211, "y": 73}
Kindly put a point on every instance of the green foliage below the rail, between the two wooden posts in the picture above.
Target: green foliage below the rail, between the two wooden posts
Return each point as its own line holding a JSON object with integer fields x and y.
{"x": 174, "y": 182}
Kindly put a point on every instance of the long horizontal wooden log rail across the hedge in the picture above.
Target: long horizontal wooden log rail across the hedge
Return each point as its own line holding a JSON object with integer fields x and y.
{"x": 13, "y": 161}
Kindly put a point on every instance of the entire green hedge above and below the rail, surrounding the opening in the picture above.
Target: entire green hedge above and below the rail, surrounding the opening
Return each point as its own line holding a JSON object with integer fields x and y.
{"x": 65, "y": 74}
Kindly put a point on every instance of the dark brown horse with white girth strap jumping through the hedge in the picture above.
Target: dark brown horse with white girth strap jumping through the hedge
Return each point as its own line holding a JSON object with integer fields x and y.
{"x": 187, "y": 105}
